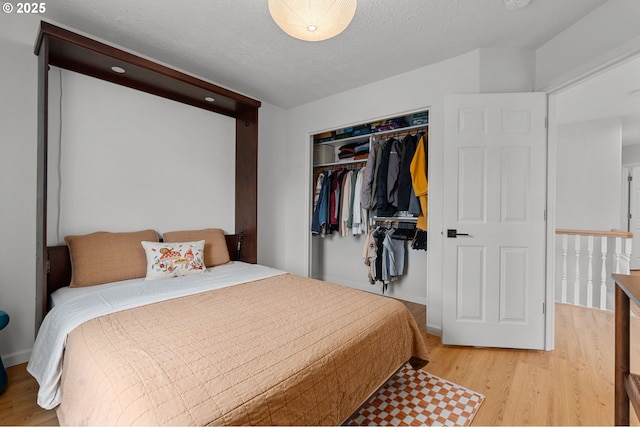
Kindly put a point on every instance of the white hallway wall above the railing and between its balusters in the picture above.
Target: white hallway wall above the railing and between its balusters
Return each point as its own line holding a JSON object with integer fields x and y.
{"x": 588, "y": 197}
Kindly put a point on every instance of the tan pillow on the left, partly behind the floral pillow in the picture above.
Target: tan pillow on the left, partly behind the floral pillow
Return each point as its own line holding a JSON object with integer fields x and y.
{"x": 105, "y": 257}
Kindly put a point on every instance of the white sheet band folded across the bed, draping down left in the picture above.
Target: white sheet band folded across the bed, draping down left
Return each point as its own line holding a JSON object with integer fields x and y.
{"x": 77, "y": 305}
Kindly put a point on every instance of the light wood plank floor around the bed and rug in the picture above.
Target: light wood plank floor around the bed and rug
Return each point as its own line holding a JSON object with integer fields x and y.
{"x": 572, "y": 385}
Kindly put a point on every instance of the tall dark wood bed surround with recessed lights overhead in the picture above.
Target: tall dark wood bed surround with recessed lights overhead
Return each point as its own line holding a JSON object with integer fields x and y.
{"x": 68, "y": 50}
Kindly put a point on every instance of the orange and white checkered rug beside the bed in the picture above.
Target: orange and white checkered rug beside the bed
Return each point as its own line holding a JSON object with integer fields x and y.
{"x": 418, "y": 398}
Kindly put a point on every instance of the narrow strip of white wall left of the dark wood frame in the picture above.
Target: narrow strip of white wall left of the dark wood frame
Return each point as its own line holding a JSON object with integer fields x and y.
{"x": 18, "y": 136}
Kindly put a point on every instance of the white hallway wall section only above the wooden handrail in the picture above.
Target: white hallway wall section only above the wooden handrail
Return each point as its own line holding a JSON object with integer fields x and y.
{"x": 589, "y": 168}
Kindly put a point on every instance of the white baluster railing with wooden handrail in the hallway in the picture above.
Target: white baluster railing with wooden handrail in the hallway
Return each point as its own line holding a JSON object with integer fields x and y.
{"x": 612, "y": 261}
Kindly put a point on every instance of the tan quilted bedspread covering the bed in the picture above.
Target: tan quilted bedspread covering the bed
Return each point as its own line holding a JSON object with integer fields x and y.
{"x": 278, "y": 351}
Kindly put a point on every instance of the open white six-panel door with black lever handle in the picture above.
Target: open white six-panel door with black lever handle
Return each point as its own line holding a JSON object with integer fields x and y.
{"x": 494, "y": 213}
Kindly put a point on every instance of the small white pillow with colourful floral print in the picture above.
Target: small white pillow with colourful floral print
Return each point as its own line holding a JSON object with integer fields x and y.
{"x": 173, "y": 259}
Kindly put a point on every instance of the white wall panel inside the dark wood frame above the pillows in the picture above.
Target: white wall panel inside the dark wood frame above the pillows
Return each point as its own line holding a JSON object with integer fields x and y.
{"x": 133, "y": 161}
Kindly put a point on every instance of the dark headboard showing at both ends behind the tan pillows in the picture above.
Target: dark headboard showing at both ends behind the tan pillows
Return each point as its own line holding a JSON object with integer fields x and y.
{"x": 59, "y": 264}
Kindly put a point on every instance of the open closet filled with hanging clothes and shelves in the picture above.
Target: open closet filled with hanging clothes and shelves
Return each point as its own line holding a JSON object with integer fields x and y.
{"x": 369, "y": 204}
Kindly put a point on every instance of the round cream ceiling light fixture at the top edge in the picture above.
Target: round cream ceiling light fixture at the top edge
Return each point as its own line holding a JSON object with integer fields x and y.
{"x": 312, "y": 20}
